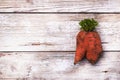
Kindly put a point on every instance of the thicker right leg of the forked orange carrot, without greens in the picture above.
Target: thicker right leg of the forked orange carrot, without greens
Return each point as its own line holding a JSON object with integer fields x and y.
{"x": 94, "y": 47}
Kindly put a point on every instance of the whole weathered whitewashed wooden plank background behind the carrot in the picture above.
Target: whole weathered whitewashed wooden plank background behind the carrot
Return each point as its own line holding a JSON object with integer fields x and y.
{"x": 38, "y": 39}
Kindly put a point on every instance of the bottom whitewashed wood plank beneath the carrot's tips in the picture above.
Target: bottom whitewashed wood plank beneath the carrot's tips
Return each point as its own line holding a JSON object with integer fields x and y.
{"x": 57, "y": 66}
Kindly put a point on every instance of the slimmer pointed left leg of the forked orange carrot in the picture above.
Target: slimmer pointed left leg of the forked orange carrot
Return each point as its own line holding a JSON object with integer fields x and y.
{"x": 80, "y": 47}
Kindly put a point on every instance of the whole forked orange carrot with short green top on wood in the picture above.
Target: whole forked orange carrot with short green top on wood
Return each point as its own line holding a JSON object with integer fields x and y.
{"x": 88, "y": 42}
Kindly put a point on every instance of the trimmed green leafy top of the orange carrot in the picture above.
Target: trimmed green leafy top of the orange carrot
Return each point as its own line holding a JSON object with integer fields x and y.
{"x": 88, "y": 24}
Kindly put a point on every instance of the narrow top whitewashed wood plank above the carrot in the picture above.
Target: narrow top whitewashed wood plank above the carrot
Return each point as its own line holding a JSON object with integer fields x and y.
{"x": 60, "y": 6}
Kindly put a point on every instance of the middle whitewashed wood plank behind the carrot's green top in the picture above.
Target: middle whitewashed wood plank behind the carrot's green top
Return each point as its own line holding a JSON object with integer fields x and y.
{"x": 54, "y": 32}
